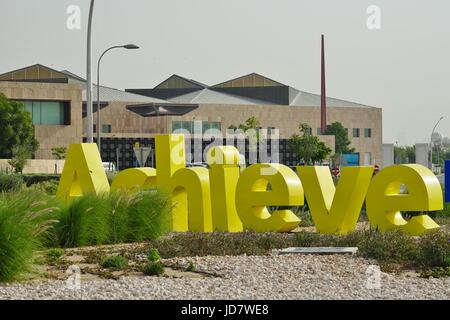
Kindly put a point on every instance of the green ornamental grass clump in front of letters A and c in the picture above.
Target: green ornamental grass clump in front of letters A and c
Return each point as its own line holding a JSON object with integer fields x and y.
{"x": 113, "y": 218}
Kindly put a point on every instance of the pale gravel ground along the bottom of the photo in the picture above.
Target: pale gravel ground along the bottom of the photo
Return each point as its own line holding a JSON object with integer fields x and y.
{"x": 247, "y": 277}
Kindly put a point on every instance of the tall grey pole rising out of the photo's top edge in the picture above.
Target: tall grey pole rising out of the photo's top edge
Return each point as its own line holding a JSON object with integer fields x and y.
{"x": 90, "y": 119}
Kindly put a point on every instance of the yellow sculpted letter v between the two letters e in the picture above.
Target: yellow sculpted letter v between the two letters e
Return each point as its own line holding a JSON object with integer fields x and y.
{"x": 335, "y": 210}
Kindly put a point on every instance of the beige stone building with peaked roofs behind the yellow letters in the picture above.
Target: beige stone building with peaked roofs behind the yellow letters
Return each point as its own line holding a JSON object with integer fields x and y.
{"x": 56, "y": 100}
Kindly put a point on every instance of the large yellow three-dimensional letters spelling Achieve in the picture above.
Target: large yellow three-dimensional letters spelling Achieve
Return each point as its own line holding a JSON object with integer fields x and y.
{"x": 222, "y": 198}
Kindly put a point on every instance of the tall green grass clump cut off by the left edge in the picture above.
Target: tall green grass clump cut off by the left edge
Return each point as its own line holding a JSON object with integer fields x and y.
{"x": 24, "y": 220}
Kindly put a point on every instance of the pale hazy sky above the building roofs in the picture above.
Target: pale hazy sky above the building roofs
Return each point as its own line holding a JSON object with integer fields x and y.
{"x": 403, "y": 68}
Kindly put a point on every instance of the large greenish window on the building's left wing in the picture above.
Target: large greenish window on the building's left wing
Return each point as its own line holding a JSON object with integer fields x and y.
{"x": 47, "y": 112}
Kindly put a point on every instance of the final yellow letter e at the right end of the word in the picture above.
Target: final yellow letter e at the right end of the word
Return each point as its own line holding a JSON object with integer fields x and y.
{"x": 385, "y": 201}
